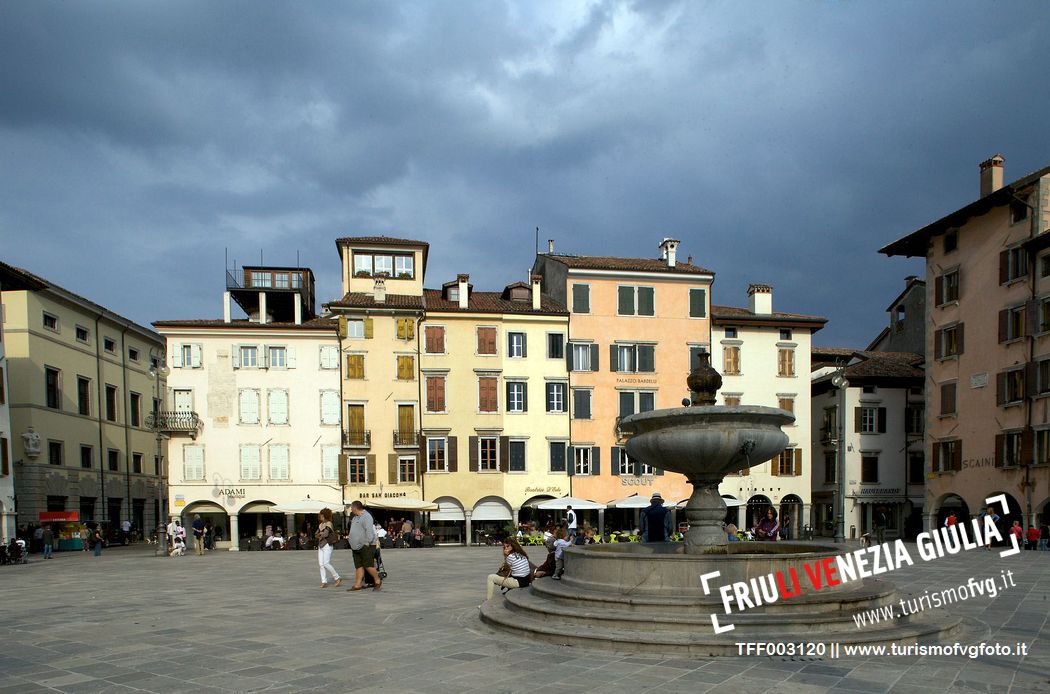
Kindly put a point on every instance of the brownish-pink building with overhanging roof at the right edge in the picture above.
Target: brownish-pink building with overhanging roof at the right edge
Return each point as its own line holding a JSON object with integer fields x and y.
{"x": 988, "y": 340}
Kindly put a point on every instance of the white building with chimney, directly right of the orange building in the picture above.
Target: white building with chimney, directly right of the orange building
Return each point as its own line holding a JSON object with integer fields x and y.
{"x": 764, "y": 357}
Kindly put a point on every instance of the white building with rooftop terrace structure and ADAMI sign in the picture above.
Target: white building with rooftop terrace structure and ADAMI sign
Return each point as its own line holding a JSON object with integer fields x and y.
{"x": 255, "y": 408}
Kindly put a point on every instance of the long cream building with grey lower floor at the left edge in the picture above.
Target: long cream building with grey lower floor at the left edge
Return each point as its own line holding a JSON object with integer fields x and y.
{"x": 80, "y": 392}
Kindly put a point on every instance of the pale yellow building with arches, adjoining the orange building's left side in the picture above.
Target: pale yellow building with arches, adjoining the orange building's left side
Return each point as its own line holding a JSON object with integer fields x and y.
{"x": 495, "y": 418}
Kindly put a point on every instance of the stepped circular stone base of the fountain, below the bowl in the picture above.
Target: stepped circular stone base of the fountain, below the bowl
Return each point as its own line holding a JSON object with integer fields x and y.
{"x": 636, "y": 599}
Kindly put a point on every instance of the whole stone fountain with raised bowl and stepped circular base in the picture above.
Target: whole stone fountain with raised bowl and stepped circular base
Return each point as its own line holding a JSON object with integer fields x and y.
{"x": 649, "y": 598}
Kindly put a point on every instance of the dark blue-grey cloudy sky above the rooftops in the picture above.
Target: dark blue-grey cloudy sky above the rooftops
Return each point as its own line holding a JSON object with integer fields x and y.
{"x": 782, "y": 142}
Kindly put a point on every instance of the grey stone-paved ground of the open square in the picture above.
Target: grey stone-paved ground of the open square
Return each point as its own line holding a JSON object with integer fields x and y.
{"x": 258, "y": 622}
